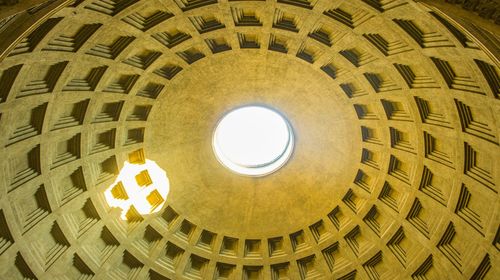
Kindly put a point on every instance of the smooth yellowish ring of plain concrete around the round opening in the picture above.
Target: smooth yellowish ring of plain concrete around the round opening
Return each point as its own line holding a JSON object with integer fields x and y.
{"x": 248, "y": 205}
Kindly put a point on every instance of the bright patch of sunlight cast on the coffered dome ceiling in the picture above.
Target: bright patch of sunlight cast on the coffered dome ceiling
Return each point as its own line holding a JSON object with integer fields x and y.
{"x": 141, "y": 187}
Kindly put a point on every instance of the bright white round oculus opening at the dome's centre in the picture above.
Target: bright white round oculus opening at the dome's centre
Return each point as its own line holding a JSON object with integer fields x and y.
{"x": 253, "y": 140}
